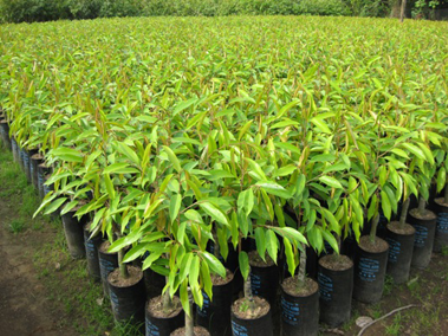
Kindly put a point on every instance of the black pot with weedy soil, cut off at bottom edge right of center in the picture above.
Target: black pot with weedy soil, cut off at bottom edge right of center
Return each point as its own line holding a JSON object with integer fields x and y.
{"x": 248, "y": 323}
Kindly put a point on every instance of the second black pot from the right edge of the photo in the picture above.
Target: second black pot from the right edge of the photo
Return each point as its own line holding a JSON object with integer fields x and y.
{"x": 425, "y": 230}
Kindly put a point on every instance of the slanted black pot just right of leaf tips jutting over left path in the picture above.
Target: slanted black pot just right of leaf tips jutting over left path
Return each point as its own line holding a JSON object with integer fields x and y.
{"x": 74, "y": 234}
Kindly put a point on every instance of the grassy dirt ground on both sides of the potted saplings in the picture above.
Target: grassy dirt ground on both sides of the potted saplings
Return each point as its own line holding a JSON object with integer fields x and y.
{"x": 44, "y": 292}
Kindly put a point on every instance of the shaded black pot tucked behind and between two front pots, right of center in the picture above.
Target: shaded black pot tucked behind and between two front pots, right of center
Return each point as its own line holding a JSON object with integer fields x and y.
{"x": 264, "y": 277}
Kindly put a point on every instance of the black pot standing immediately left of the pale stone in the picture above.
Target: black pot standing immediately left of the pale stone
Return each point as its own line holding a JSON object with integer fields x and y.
{"x": 335, "y": 292}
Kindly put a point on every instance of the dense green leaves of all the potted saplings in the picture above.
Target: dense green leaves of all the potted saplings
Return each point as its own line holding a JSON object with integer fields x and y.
{"x": 173, "y": 134}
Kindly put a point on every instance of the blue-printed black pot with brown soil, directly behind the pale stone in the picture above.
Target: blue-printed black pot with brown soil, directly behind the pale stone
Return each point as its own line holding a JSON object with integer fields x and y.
{"x": 370, "y": 269}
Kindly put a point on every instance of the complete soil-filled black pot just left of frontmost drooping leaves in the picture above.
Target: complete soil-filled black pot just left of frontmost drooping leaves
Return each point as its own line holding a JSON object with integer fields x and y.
{"x": 127, "y": 296}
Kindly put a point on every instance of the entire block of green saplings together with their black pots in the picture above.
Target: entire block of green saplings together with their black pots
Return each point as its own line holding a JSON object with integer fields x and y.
{"x": 213, "y": 159}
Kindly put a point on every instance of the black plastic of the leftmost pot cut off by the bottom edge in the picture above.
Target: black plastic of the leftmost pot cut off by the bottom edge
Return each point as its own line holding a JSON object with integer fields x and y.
{"x": 162, "y": 326}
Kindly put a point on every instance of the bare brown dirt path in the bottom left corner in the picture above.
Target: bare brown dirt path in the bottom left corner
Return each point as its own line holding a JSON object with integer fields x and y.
{"x": 24, "y": 305}
